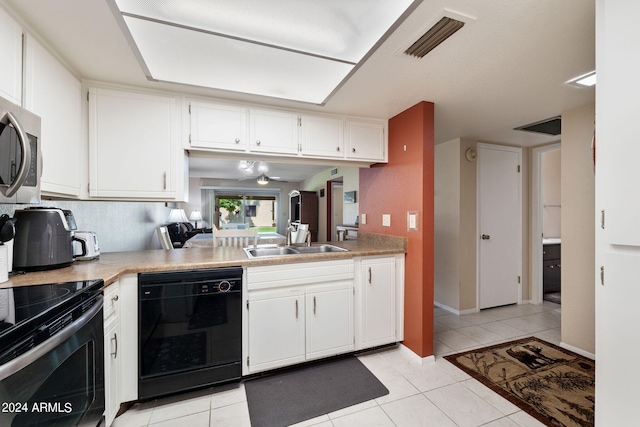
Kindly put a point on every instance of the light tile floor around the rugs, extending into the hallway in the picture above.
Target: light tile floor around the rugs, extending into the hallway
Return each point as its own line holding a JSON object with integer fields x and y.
{"x": 429, "y": 394}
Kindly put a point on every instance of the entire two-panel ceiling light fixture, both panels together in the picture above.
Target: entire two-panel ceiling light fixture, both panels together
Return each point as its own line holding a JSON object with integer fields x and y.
{"x": 292, "y": 49}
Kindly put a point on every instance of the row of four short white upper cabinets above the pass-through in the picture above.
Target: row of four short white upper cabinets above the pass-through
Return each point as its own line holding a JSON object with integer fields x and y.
{"x": 224, "y": 127}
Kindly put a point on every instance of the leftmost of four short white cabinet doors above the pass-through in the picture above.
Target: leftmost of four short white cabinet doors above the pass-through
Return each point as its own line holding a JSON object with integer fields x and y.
{"x": 218, "y": 126}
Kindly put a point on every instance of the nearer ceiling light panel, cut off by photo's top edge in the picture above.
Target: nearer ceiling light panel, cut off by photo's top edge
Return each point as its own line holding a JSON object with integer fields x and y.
{"x": 344, "y": 30}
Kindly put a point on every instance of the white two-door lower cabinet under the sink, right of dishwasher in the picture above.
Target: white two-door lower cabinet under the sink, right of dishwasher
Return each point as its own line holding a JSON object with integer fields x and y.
{"x": 298, "y": 312}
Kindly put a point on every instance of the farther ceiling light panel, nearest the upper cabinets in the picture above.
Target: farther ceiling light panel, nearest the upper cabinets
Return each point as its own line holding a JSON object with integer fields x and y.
{"x": 177, "y": 55}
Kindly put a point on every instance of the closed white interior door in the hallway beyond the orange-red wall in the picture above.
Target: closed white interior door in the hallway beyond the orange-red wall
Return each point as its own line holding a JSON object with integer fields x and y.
{"x": 499, "y": 225}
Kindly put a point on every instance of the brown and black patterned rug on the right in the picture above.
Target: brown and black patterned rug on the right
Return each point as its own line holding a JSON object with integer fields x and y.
{"x": 554, "y": 385}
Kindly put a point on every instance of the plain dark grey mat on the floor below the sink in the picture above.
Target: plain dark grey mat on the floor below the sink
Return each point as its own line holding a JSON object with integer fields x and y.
{"x": 297, "y": 395}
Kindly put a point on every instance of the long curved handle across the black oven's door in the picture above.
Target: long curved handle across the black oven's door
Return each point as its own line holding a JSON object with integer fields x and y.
{"x": 35, "y": 353}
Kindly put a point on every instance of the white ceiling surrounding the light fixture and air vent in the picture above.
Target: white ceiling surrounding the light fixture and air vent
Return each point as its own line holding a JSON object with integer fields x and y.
{"x": 506, "y": 68}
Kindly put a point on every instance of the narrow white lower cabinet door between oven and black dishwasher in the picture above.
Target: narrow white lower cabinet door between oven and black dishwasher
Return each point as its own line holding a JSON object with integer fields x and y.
{"x": 111, "y": 369}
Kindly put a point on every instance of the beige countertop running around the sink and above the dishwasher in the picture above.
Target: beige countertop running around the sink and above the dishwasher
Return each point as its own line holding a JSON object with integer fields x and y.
{"x": 110, "y": 266}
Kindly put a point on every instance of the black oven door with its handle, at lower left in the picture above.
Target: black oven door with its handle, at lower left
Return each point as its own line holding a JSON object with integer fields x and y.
{"x": 61, "y": 381}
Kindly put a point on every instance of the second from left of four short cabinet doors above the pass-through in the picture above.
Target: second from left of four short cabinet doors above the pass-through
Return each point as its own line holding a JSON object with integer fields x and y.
{"x": 273, "y": 131}
